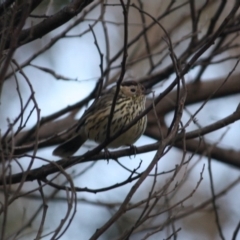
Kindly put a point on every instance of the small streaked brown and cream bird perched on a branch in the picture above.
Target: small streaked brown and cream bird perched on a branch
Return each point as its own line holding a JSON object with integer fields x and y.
{"x": 93, "y": 125}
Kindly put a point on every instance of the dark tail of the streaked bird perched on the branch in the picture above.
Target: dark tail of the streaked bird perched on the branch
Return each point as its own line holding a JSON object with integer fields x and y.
{"x": 69, "y": 147}
